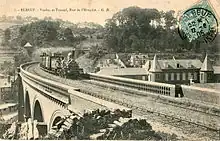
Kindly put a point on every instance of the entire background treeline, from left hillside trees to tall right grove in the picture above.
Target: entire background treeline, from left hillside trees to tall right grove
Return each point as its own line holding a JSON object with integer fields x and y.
{"x": 131, "y": 30}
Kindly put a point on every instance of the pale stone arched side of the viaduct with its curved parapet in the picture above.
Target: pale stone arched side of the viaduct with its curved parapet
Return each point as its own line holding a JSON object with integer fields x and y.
{"x": 48, "y": 100}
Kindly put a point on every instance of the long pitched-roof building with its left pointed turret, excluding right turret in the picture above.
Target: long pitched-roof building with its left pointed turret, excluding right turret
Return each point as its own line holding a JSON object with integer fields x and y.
{"x": 175, "y": 71}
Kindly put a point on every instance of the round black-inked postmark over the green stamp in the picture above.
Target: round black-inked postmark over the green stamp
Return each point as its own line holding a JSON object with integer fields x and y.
{"x": 198, "y": 24}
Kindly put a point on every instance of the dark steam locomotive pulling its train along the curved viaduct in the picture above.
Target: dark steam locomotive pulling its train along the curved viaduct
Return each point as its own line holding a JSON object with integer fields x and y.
{"x": 57, "y": 64}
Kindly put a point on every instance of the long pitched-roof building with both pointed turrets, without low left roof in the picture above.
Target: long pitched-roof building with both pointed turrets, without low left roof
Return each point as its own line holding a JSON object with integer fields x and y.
{"x": 181, "y": 71}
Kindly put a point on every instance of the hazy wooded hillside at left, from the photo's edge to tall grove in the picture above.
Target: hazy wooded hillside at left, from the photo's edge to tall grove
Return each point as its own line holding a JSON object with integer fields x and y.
{"x": 47, "y": 33}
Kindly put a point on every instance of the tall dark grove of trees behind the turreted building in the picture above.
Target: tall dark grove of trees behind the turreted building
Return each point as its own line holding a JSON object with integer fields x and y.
{"x": 146, "y": 30}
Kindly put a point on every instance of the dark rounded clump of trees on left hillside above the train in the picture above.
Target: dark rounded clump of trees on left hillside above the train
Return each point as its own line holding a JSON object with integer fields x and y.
{"x": 46, "y": 32}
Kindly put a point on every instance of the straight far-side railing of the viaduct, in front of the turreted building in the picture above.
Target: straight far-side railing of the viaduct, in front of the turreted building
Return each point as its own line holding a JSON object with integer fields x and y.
{"x": 152, "y": 87}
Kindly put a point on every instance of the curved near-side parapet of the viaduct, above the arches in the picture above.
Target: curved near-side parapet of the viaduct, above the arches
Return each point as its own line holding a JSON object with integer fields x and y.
{"x": 60, "y": 91}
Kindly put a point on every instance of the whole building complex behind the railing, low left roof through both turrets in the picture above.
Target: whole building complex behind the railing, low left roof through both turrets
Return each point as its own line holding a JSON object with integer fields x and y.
{"x": 173, "y": 71}
